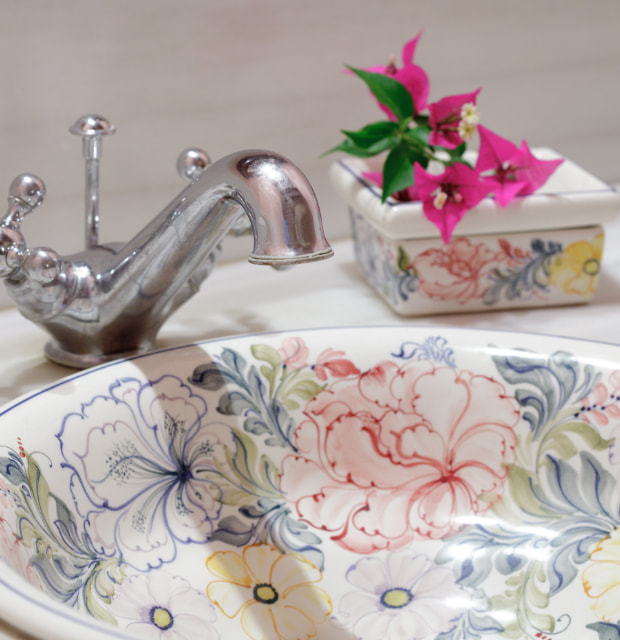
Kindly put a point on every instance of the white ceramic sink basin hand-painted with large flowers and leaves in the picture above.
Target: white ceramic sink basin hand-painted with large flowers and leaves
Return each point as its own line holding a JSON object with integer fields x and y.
{"x": 365, "y": 483}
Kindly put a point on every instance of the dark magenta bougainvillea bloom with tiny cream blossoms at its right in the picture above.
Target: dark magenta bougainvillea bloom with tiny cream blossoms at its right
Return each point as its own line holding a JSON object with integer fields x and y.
{"x": 453, "y": 119}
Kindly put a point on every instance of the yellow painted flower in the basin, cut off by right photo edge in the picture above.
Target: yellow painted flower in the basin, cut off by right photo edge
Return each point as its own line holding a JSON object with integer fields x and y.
{"x": 601, "y": 578}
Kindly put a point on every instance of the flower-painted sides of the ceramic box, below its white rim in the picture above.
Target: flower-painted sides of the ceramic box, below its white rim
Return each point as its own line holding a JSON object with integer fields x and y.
{"x": 480, "y": 272}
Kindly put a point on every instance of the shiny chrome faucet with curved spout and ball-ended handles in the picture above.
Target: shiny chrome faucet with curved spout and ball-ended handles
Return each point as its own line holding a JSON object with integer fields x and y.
{"x": 110, "y": 300}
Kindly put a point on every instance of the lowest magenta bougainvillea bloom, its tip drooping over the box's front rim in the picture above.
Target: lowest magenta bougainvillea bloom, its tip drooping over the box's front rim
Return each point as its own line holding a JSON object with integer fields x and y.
{"x": 447, "y": 196}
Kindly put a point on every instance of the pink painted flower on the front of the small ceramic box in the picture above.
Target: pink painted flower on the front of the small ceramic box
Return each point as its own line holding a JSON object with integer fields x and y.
{"x": 458, "y": 271}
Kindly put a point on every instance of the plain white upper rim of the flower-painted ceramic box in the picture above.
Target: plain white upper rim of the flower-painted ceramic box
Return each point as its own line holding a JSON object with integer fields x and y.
{"x": 572, "y": 197}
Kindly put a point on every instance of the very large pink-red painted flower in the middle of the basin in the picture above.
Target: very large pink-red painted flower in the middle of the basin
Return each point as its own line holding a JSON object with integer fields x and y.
{"x": 398, "y": 452}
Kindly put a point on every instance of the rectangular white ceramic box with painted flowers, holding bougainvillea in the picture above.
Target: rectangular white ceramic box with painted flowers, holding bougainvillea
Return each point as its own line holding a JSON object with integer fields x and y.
{"x": 542, "y": 249}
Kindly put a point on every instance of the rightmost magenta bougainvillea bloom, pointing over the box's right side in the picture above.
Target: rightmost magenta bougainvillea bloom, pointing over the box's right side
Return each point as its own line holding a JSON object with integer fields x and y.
{"x": 511, "y": 170}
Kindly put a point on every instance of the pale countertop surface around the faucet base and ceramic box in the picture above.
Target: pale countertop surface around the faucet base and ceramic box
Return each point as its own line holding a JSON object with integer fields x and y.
{"x": 239, "y": 298}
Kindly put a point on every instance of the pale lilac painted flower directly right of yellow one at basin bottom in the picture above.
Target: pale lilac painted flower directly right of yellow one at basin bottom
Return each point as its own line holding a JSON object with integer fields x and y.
{"x": 401, "y": 597}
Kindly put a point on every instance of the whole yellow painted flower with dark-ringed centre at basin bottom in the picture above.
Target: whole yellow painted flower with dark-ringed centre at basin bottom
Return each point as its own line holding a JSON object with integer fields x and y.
{"x": 274, "y": 593}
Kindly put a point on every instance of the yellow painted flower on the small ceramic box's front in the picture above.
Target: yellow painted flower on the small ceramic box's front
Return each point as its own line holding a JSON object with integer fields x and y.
{"x": 576, "y": 269}
